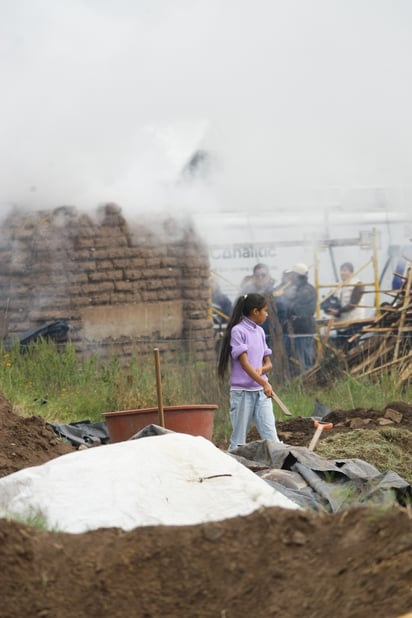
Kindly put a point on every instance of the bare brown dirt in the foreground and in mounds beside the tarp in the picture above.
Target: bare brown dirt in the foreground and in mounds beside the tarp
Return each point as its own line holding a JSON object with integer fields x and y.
{"x": 274, "y": 562}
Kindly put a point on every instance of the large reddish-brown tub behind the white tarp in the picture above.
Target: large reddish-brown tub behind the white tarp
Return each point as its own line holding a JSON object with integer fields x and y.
{"x": 196, "y": 420}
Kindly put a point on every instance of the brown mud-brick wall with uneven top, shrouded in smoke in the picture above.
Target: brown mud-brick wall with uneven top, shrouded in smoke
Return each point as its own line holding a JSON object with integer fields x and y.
{"x": 120, "y": 286}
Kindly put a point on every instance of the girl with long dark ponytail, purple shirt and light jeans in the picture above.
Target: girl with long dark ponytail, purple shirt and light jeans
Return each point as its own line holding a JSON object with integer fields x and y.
{"x": 244, "y": 345}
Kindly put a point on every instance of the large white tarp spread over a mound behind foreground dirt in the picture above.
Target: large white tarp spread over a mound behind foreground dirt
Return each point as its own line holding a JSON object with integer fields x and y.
{"x": 172, "y": 479}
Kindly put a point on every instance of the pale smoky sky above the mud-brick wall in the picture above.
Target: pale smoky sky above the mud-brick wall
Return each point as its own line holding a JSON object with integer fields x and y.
{"x": 299, "y": 100}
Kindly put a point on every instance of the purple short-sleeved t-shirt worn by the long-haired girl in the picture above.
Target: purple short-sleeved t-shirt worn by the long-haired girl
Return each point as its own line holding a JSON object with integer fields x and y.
{"x": 249, "y": 337}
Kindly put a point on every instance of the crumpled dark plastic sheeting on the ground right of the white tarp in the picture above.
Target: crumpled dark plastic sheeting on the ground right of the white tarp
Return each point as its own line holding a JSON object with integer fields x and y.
{"x": 322, "y": 484}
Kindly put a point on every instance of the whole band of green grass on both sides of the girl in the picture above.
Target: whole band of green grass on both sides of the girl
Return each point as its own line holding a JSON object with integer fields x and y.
{"x": 57, "y": 384}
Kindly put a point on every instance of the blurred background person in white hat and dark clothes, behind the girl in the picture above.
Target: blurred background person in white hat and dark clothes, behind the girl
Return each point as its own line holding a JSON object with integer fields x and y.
{"x": 301, "y": 306}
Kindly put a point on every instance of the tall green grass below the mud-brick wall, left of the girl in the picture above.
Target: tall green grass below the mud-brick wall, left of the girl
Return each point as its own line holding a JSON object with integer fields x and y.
{"x": 60, "y": 386}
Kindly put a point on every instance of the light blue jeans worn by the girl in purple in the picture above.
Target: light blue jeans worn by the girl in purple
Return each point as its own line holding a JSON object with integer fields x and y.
{"x": 248, "y": 406}
